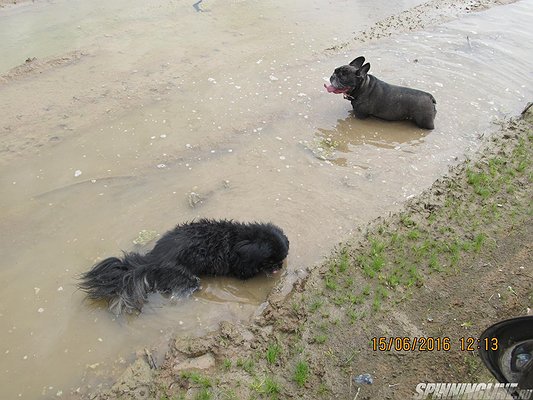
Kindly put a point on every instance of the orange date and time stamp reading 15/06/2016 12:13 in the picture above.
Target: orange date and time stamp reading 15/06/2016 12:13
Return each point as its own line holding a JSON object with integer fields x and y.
{"x": 432, "y": 343}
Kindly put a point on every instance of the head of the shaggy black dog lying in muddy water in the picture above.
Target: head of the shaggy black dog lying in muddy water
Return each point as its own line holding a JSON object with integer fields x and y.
{"x": 264, "y": 250}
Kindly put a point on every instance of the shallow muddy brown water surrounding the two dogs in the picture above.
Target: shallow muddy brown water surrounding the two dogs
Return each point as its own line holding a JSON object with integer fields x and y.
{"x": 171, "y": 114}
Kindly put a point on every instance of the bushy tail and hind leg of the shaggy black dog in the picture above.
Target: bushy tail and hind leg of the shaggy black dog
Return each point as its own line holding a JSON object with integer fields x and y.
{"x": 125, "y": 283}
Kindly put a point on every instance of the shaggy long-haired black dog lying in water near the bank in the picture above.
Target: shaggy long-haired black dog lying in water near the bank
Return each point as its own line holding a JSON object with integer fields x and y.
{"x": 204, "y": 247}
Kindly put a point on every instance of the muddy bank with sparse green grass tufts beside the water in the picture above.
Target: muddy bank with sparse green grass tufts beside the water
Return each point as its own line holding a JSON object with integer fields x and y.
{"x": 453, "y": 261}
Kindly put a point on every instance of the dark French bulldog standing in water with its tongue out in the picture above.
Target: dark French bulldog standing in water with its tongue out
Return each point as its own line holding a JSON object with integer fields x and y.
{"x": 371, "y": 96}
